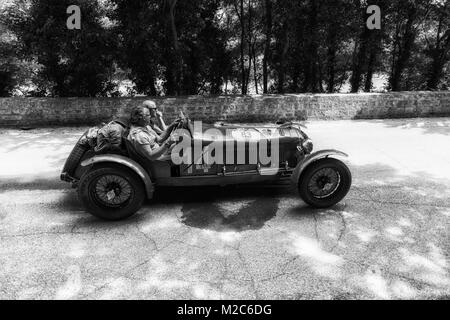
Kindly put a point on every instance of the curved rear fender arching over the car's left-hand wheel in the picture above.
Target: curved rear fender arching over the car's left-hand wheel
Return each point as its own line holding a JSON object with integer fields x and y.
{"x": 127, "y": 162}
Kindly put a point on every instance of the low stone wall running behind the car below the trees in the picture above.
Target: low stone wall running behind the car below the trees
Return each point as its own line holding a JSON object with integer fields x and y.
{"x": 263, "y": 108}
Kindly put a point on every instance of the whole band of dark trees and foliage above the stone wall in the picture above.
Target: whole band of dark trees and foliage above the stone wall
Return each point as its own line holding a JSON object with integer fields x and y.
{"x": 170, "y": 47}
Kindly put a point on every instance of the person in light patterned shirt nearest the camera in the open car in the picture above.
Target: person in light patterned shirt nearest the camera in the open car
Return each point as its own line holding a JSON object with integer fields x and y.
{"x": 144, "y": 139}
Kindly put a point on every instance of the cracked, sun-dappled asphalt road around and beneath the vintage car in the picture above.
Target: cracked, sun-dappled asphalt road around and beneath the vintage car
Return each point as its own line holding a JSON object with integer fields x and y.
{"x": 389, "y": 238}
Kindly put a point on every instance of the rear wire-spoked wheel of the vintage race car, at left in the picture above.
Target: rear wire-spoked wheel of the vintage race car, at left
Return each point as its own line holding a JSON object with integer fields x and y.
{"x": 111, "y": 193}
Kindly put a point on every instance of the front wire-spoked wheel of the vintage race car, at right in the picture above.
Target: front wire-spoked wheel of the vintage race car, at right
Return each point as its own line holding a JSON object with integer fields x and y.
{"x": 324, "y": 183}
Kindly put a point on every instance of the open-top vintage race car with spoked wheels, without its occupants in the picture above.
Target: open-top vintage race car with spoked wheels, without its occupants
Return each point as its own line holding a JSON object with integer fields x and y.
{"x": 114, "y": 185}
